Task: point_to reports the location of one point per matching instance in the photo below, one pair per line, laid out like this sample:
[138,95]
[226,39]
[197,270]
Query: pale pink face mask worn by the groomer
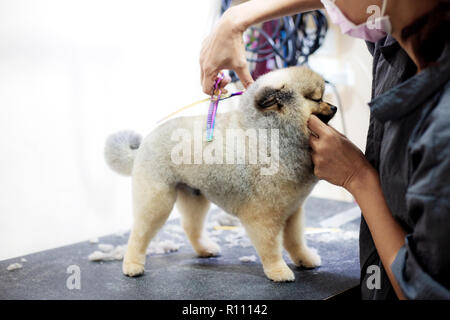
[374,29]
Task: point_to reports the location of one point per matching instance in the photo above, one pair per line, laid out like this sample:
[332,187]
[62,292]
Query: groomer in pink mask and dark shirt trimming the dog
[402,183]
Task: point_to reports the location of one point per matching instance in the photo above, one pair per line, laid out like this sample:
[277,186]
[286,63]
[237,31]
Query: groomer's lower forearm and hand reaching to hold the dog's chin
[340,162]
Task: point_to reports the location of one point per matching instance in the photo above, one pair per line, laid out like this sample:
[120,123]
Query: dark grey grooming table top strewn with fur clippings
[332,229]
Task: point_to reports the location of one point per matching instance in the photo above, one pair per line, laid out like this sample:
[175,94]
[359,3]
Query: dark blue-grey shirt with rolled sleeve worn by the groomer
[409,144]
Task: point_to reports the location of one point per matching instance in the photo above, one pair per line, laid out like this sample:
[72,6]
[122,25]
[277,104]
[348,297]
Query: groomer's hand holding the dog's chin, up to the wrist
[336,159]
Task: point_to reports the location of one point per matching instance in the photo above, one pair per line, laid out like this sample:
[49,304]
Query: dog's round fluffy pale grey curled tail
[120,151]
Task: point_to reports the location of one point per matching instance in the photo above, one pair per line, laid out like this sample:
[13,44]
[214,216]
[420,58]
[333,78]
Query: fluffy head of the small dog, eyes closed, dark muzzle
[292,94]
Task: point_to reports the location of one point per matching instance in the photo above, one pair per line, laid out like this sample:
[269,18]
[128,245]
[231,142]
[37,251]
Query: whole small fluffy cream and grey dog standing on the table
[268,206]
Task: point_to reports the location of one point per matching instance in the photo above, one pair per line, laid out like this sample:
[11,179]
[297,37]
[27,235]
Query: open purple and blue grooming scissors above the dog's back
[212,111]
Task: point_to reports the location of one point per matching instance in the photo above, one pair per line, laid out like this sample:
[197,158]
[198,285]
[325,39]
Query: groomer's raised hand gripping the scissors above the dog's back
[224,49]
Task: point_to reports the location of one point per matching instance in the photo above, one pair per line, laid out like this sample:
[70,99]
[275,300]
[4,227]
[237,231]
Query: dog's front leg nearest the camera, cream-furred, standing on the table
[265,232]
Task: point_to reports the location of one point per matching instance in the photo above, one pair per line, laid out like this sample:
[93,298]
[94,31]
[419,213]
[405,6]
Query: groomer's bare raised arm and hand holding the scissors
[224,47]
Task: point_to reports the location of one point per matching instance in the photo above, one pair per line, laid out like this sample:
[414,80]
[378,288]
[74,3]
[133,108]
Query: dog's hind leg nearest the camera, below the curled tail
[152,204]
